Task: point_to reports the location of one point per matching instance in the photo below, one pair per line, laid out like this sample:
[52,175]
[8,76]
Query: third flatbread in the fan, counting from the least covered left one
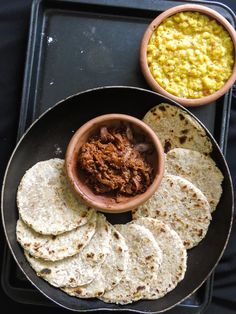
[81,268]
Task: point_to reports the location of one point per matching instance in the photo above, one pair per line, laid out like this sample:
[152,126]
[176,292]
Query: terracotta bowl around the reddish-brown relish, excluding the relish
[76,177]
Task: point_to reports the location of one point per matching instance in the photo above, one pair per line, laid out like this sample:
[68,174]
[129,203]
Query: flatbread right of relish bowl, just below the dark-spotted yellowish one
[199,169]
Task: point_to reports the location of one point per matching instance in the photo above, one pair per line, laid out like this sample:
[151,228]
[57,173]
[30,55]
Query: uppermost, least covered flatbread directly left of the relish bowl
[46,202]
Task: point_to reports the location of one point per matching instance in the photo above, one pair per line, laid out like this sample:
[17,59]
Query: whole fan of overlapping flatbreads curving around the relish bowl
[76,249]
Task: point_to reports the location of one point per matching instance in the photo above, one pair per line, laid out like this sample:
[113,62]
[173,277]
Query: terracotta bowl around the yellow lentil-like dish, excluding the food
[143,54]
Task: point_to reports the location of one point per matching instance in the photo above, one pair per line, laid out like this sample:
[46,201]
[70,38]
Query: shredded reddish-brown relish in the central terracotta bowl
[114,161]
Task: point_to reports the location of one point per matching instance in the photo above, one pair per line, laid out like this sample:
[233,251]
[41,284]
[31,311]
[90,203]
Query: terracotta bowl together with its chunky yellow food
[188,54]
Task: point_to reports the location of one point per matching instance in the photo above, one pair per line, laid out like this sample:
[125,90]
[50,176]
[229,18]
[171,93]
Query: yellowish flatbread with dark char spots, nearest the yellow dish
[176,128]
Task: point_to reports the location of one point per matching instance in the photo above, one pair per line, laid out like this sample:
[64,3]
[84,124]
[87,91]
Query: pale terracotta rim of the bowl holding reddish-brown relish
[133,202]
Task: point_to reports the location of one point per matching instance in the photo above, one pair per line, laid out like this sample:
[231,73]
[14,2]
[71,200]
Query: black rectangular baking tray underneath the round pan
[77,45]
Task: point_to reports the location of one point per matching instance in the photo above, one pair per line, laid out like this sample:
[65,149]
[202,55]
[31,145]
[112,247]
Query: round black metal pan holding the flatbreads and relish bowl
[50,134]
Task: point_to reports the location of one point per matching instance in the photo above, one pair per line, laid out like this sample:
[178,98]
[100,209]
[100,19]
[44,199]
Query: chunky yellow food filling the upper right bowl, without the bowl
[190,55]
